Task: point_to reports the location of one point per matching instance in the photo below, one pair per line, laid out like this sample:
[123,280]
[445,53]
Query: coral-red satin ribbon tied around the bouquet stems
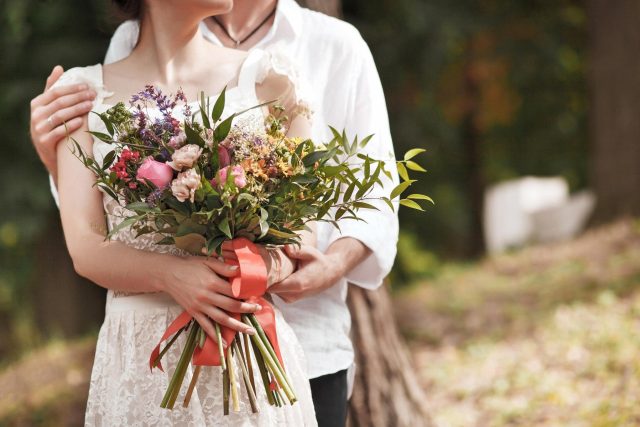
[250,284]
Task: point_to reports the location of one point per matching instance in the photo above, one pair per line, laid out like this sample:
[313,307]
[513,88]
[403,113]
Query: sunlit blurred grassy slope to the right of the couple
[548,336]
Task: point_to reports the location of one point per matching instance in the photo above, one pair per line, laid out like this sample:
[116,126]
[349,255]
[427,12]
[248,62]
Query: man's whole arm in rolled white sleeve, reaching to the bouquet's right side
[361,252]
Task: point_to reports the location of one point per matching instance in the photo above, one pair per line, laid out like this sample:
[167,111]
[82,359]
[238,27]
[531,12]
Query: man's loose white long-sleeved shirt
[345,93]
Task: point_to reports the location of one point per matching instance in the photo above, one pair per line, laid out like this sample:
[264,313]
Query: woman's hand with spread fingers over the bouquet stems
[200,286]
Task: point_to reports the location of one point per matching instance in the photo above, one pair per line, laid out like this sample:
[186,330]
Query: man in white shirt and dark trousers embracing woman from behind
[346,94]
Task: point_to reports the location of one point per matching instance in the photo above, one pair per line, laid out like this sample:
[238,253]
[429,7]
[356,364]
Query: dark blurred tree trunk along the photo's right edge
[614,85]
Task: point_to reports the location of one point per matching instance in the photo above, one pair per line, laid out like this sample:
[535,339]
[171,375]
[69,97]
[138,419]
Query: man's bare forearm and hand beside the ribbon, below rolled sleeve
[318,271]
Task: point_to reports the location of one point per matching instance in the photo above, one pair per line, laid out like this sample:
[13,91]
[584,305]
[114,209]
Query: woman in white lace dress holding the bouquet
[149,285]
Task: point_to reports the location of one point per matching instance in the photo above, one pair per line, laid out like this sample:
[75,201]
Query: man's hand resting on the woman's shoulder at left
[55,113]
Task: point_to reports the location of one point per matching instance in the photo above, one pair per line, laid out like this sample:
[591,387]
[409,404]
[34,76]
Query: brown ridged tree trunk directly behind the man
[386,391]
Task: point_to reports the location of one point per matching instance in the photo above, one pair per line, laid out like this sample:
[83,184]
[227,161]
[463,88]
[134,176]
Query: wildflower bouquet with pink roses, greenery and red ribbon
[200,181]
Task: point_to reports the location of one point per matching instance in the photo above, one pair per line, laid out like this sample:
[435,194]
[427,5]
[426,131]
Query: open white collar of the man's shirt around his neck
[287,24]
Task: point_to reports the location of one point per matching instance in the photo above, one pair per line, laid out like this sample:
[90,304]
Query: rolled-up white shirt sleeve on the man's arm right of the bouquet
[367,115]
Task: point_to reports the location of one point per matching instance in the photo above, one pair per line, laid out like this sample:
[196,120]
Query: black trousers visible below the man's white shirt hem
[329,394]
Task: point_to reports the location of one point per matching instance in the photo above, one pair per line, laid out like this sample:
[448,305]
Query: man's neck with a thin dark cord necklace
[244,18]
